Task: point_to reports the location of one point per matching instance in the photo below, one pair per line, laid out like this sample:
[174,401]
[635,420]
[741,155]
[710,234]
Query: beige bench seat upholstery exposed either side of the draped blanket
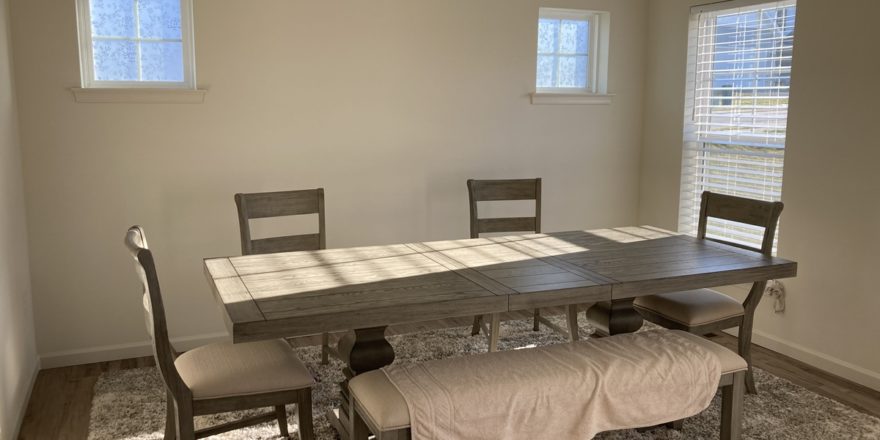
[384,409]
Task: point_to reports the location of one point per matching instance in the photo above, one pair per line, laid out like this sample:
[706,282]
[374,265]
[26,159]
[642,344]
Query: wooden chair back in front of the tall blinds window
[741,210]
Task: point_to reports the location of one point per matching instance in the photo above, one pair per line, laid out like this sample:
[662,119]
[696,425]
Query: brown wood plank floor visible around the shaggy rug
[61,398]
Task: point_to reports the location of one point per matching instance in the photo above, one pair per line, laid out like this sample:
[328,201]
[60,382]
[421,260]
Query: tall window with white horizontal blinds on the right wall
[736,109]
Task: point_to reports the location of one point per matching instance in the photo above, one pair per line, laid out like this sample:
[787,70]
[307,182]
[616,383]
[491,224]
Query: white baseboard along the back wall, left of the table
[122,351]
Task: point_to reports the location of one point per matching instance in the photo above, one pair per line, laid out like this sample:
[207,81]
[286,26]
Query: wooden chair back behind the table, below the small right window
[504,190]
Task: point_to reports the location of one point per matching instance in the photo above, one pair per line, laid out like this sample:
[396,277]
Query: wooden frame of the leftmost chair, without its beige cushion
[181,407]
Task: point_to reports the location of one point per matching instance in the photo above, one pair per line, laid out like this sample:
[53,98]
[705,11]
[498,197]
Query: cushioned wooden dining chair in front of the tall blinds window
[704,311]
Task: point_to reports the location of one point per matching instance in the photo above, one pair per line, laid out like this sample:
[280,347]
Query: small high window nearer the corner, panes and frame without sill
[572,50]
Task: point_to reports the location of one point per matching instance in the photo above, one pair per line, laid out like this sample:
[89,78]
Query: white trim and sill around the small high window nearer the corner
[596,91]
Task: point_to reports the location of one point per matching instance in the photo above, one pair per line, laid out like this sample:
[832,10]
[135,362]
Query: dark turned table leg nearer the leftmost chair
[362,350]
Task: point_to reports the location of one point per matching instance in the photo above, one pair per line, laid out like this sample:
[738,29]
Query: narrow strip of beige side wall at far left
[18,354]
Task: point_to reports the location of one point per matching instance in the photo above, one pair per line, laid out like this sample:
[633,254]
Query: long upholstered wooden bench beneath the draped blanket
[380,409]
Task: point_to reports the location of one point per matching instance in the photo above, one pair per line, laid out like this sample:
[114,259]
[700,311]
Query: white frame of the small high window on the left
[87,61]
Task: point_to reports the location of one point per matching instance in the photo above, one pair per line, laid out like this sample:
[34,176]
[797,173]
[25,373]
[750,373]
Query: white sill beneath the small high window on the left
[134,95]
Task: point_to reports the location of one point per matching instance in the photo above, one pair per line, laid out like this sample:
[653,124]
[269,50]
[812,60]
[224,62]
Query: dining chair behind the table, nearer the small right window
[510,190]
